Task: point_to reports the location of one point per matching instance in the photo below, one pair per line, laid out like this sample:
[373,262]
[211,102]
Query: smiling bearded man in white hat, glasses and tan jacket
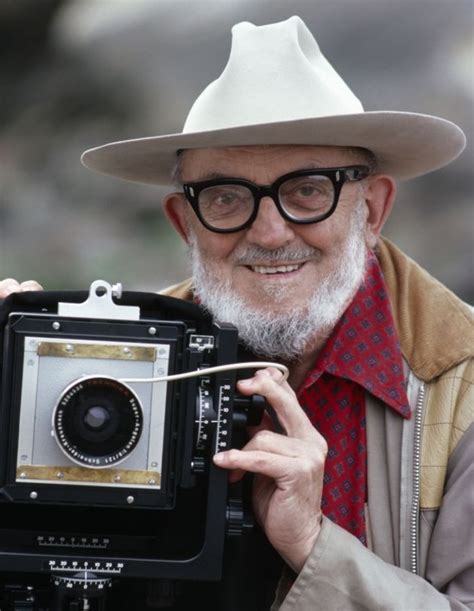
[285,184]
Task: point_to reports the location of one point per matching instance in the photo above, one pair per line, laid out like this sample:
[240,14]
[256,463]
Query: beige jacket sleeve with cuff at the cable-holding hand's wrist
[342,574]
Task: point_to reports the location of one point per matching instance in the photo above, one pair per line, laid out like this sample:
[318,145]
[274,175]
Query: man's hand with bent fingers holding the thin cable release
[289,470]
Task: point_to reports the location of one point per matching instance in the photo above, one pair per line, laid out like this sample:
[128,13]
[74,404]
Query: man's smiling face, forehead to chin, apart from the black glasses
[303,255]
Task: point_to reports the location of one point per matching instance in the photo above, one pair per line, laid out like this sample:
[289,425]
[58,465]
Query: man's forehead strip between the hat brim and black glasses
[206,163]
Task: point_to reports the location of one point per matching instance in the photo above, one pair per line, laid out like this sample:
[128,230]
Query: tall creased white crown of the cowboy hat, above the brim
[275,73]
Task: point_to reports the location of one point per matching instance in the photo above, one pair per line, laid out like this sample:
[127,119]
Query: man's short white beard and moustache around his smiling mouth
[284,335]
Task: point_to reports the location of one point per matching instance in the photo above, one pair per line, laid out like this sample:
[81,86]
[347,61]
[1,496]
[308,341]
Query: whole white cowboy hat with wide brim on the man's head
[278,88]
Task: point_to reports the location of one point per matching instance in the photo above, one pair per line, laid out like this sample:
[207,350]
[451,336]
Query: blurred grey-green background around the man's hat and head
[80,73]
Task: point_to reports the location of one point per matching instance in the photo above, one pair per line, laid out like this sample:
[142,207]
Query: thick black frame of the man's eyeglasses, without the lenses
[338,176]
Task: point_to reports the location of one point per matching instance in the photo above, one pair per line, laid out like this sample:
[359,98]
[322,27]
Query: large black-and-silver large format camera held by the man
[106,472]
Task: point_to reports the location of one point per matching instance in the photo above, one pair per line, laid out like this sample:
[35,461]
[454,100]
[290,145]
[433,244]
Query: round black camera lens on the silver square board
[98,421]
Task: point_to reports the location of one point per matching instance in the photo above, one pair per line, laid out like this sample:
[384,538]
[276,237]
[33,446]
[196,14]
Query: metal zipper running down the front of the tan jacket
[415,509]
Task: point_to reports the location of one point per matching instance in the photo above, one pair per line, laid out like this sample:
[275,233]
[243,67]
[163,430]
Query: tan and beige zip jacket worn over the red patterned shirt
[420,471]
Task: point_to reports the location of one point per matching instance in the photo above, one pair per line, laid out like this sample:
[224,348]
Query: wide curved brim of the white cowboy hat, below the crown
[406,144]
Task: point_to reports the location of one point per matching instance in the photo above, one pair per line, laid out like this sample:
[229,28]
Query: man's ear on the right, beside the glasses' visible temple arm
[379,194]
